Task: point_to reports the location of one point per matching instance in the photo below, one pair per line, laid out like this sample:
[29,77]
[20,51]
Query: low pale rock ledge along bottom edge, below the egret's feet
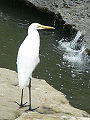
[36,116]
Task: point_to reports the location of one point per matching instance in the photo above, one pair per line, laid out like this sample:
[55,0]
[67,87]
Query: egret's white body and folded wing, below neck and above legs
[27,59]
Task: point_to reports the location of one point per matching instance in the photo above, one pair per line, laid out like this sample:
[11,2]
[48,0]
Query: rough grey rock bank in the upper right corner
[75,13]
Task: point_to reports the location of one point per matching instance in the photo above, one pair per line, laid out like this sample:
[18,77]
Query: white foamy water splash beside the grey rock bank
[74,51]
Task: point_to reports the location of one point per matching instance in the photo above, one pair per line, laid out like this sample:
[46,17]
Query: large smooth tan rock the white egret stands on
[53,104]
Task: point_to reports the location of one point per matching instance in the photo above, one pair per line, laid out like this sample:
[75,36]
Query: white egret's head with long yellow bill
[37,26]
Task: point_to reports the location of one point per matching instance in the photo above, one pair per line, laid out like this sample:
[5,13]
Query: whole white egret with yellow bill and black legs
[28,58]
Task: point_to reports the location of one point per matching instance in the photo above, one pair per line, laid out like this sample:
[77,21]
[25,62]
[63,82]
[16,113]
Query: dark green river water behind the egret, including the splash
[64,65]
